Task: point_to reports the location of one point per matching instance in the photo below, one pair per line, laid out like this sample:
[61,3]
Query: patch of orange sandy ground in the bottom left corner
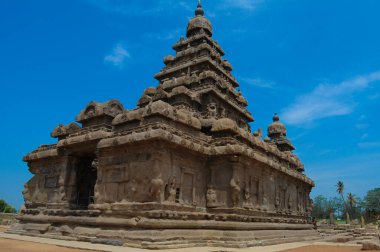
[21,246]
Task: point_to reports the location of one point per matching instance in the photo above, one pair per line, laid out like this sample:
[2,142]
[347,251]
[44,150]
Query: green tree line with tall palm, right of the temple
[348,207]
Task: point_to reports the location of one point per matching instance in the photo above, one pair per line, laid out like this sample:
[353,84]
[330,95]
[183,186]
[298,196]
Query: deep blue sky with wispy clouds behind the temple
[316,63]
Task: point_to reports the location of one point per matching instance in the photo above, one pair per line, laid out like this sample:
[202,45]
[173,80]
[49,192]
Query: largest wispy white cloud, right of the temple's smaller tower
[327,100]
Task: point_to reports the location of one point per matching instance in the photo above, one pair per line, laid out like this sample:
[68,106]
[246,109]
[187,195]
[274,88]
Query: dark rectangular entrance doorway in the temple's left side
[85,180]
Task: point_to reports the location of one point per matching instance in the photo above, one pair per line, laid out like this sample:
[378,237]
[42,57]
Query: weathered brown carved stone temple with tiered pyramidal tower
[181,169]
